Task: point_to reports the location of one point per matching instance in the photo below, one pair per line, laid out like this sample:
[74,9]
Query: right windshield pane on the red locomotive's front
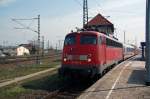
[88,39]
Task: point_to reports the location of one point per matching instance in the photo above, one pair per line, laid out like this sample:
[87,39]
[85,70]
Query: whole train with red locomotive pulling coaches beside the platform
[89,53]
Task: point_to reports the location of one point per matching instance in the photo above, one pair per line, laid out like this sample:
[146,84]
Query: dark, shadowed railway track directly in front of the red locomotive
[68,91]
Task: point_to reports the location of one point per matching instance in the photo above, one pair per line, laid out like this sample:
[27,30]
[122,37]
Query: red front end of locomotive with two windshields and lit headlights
[79,55]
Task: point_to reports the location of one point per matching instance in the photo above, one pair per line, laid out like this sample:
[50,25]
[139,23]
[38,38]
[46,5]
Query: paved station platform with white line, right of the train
[125,81]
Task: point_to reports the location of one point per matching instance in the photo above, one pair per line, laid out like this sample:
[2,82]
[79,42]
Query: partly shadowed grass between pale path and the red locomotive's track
[26,89]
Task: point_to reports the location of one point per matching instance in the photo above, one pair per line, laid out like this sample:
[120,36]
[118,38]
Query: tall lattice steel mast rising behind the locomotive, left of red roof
[85,13]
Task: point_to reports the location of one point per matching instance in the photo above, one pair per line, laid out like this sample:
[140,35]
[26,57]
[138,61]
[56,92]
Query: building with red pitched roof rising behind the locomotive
[101,24]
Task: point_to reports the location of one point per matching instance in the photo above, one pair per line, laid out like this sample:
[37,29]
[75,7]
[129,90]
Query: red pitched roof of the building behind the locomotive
[99,20]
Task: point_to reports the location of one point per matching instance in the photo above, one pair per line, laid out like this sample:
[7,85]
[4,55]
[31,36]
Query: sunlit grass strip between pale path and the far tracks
[17,70]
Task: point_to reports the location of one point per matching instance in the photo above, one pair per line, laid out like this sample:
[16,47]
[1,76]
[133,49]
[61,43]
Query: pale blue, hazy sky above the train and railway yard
[59,17]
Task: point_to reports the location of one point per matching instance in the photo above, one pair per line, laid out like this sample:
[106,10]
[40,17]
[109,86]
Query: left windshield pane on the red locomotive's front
[70,40]
